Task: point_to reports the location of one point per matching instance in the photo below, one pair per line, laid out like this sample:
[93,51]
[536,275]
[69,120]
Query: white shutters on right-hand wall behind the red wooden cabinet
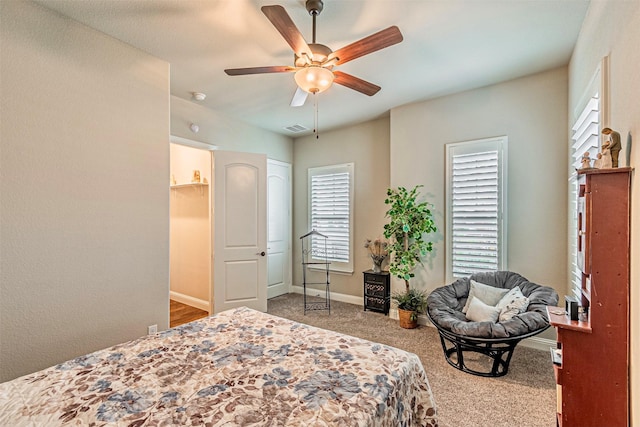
[585,138]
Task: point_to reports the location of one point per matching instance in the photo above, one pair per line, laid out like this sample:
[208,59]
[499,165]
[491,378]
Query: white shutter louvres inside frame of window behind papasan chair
[475,213]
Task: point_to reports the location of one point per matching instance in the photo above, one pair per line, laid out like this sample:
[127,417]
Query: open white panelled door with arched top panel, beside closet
[240,236]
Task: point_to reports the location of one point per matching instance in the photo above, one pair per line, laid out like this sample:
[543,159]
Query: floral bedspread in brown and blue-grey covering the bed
[237,368]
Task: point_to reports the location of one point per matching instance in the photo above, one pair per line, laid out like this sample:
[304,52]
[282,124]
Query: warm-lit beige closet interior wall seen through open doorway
[190,224]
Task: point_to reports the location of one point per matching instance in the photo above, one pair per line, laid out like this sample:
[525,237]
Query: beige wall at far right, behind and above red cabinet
[613,28]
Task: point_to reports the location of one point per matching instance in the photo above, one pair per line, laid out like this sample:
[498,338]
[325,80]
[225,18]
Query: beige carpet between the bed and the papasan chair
[525,397]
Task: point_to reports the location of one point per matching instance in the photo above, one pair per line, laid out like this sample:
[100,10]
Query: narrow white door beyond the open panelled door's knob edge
[278,228]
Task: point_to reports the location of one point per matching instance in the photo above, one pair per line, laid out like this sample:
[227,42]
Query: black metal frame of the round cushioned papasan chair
[499,350]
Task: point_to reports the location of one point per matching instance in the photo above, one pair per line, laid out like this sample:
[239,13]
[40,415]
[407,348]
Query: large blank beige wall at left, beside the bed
[84,200]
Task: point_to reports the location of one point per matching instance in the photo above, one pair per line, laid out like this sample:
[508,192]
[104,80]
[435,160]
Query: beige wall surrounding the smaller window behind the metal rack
[367,146]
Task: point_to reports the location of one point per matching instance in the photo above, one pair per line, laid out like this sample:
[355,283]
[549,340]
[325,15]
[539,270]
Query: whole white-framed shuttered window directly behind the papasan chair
[476,189]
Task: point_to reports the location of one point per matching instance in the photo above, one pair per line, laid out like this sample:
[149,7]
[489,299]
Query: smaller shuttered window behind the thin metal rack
[331,214]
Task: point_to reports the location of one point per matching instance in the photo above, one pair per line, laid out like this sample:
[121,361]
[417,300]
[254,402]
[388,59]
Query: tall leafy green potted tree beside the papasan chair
[410,222]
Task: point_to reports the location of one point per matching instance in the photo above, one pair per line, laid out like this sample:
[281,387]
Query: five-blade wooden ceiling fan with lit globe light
[314,62]
